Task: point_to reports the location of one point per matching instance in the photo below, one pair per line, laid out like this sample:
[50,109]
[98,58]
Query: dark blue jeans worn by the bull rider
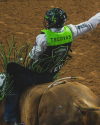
[22,81]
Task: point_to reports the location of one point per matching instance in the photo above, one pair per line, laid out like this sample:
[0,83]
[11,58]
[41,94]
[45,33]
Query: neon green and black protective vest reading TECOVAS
[58,45]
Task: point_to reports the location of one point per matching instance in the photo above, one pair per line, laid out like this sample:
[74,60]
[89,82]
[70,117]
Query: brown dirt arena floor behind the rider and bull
[23,19]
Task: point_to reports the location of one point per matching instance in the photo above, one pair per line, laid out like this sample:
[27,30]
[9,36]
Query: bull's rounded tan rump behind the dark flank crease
[60,105]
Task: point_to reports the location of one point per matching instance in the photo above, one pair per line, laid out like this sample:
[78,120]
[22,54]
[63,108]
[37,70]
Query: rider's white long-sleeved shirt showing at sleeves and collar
[77,30]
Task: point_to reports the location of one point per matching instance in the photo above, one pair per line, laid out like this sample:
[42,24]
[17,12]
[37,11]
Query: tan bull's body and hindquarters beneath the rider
[64,104]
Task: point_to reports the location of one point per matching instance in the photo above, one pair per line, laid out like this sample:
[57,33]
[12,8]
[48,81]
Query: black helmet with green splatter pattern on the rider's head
[54,18]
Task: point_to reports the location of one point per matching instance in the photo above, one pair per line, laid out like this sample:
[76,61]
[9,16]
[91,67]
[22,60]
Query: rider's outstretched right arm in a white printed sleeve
[85,27]
